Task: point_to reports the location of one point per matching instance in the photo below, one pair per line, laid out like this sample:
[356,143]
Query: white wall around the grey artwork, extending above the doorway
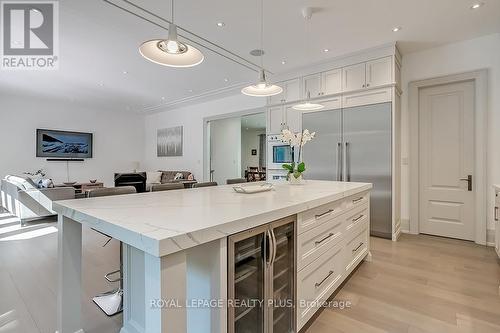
[191,117]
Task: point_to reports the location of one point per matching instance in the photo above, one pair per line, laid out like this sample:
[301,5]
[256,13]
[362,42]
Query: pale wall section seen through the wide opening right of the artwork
[226,149]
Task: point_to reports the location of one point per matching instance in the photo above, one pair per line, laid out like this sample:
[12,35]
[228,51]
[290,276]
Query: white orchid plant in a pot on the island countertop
[296,142]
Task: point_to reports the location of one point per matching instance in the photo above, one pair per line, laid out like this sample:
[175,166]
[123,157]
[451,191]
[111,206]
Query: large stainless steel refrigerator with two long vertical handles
[354,144]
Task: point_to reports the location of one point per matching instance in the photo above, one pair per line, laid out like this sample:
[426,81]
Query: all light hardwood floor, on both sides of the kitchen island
[421,284]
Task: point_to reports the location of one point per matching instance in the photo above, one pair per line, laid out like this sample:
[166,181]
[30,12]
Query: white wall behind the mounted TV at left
[118,138]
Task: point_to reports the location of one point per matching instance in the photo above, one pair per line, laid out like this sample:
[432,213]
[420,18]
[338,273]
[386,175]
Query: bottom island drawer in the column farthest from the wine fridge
[356,246]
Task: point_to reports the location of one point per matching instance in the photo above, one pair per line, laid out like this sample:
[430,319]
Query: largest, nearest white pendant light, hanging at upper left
[171,52]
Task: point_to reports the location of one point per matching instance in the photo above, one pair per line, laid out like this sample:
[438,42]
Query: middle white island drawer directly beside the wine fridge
[314,242]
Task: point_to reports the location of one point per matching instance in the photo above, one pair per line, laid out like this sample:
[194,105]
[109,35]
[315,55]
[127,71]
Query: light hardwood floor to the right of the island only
[420,284]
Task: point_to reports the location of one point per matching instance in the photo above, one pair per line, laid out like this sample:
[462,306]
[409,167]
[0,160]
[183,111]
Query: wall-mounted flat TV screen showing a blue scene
[62,144]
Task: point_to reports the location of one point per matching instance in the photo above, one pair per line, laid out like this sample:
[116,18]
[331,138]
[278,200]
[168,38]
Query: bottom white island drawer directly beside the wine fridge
[317,282]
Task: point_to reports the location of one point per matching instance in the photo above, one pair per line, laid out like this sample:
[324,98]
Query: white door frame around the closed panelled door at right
[480,78]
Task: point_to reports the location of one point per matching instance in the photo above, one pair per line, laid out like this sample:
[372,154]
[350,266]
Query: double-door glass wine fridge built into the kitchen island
[261,279]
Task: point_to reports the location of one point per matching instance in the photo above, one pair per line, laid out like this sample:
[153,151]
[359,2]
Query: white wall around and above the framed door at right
[479,53]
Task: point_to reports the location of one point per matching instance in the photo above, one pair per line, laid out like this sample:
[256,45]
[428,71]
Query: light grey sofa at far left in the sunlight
[22,198]
